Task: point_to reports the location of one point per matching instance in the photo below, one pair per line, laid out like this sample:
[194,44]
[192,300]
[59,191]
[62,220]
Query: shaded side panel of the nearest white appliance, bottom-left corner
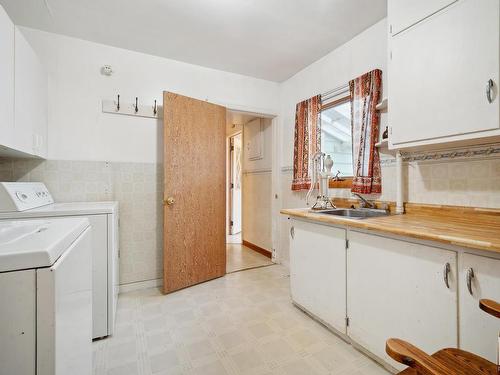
[17,322]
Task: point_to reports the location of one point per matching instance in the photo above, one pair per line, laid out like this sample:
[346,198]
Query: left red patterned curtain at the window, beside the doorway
[307,141]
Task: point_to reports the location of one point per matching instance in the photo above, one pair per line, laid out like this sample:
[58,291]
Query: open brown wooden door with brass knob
[194,248]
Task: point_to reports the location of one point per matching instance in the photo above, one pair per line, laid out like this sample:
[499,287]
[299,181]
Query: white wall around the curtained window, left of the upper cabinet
[365,52]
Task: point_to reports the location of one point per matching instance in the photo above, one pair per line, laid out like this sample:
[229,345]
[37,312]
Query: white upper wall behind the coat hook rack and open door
[78,130]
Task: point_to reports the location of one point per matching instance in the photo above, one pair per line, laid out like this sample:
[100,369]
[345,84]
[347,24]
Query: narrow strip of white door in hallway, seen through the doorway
[236,172]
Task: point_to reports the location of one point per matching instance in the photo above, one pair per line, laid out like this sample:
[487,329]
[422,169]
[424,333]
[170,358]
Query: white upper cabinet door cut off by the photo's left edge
[6,79]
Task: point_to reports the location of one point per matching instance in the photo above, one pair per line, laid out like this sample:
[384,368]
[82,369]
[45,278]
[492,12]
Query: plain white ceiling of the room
[269,39]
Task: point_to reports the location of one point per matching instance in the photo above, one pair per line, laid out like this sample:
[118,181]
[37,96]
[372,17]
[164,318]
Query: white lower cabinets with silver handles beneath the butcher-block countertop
[389,287]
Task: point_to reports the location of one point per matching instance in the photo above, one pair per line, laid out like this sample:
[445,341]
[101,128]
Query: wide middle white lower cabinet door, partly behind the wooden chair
[397,289]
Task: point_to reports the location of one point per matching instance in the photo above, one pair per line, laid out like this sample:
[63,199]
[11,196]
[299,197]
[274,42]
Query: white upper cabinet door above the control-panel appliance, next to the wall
[30,99]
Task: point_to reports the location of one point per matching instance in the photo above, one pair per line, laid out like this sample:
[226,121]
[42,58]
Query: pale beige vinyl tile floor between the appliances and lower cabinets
[243,323]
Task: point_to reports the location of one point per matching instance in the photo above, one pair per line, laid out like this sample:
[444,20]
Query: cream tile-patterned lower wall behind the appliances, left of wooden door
[136,186]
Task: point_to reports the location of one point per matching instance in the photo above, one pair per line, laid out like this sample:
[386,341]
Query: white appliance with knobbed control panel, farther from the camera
[28,200]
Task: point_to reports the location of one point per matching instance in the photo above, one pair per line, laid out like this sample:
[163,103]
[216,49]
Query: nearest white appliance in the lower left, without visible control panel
[46,297]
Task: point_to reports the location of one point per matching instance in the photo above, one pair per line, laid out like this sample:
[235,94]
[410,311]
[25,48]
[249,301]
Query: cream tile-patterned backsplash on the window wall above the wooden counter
[473,181]
